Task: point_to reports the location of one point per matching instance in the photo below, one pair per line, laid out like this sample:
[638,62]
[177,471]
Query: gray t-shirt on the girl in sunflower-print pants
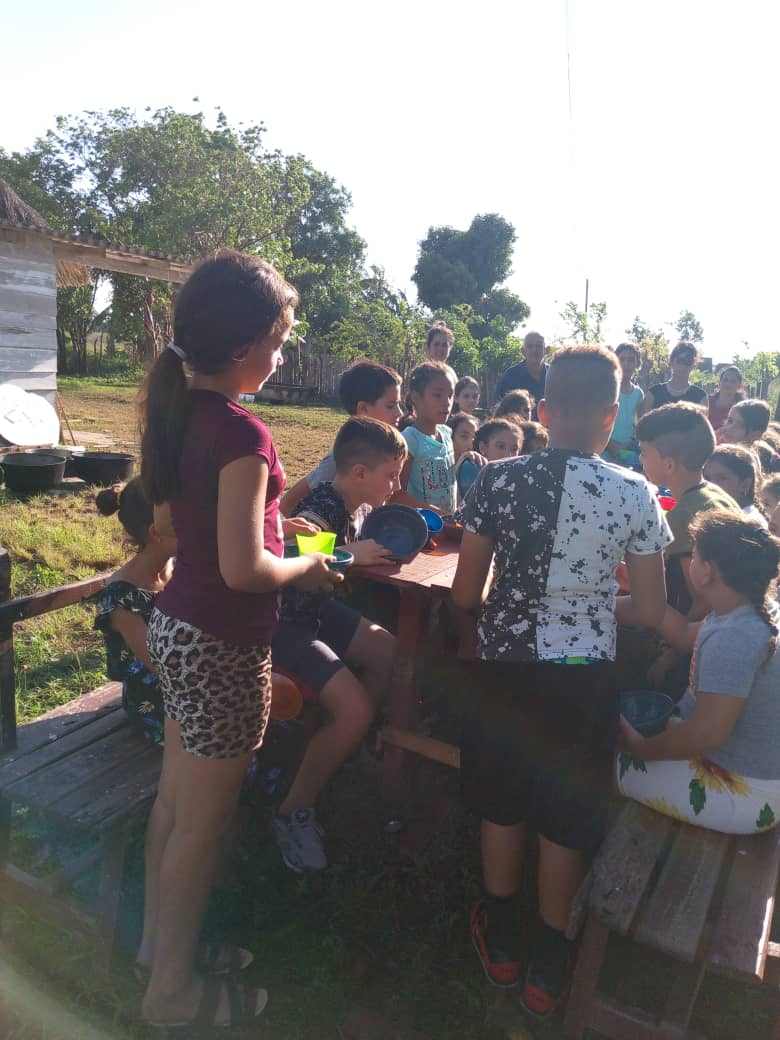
[731,659]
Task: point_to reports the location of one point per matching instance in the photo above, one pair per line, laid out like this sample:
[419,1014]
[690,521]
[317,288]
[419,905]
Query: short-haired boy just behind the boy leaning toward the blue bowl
[368,391]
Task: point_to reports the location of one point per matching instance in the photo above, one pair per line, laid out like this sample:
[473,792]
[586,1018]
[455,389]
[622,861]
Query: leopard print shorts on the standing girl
[219,694]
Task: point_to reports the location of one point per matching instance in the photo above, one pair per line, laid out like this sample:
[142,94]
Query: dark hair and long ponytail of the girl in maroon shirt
[226,305]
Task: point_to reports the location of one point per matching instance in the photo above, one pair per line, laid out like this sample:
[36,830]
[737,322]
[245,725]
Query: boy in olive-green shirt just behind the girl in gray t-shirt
[675,444]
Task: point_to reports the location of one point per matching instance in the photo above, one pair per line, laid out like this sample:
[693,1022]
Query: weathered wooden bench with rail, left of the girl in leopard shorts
[82,766]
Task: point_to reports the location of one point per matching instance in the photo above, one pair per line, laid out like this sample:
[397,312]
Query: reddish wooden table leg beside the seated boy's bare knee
[403,706]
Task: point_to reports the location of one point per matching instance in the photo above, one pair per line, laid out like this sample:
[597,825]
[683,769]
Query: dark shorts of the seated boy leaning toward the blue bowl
[315,657]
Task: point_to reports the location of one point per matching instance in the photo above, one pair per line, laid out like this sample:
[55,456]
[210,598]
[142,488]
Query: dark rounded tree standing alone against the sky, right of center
[457,268]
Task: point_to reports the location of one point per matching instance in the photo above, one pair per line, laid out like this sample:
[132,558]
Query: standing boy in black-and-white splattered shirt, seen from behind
[554,526]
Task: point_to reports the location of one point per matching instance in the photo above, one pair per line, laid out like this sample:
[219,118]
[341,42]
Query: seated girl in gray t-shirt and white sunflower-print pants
[720,767]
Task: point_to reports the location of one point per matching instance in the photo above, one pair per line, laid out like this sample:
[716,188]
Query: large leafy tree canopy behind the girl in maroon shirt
[170,183]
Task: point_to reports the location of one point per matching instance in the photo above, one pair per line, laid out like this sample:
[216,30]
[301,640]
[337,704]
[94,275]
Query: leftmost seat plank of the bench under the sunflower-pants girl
[626,864]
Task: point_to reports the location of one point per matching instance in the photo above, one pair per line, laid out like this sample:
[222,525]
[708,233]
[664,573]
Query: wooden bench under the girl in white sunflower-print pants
[705,899]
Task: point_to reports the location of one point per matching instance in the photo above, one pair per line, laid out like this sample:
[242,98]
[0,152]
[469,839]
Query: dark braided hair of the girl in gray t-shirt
[747,557]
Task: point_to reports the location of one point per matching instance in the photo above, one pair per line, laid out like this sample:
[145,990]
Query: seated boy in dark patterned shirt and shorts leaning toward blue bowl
[320,637]
